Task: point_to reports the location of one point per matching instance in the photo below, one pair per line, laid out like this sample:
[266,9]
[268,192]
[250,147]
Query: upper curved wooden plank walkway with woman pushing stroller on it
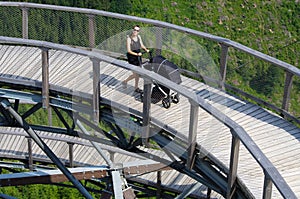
[277,138]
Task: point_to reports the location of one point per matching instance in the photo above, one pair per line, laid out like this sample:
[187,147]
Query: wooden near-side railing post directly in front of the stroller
[146,111]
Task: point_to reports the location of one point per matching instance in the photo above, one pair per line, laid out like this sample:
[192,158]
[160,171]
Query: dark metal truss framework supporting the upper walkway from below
[207,170]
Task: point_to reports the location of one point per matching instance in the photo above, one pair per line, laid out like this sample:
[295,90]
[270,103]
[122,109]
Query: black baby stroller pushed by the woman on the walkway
[169,70]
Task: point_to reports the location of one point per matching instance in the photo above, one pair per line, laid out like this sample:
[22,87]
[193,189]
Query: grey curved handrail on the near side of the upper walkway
[237,130]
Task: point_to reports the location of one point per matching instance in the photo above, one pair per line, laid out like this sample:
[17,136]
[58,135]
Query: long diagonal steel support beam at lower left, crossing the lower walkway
[5,103]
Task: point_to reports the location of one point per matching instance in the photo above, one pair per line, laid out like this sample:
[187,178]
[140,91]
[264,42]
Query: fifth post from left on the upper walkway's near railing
[234,157]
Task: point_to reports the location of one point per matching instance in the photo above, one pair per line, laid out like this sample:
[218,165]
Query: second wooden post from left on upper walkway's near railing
[96,89]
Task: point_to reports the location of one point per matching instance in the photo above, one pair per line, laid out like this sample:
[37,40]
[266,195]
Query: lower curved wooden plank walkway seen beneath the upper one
[14,143]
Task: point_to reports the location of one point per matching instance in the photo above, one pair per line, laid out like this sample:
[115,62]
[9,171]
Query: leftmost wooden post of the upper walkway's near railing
[45,77]
